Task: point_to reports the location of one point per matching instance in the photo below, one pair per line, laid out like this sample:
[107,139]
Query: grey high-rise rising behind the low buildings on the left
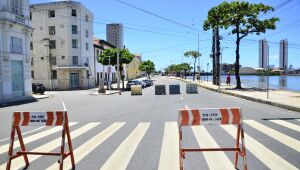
[114,34]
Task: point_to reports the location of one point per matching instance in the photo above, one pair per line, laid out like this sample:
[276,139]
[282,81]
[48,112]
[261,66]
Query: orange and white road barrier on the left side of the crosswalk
[50,118]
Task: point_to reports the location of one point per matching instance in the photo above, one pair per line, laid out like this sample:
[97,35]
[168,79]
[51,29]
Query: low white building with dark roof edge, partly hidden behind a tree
[108,73]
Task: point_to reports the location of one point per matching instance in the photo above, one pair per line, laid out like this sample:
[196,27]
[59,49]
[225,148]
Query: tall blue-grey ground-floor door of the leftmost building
[17,78]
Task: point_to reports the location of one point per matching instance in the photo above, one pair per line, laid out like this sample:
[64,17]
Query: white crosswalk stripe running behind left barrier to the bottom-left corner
[51,145]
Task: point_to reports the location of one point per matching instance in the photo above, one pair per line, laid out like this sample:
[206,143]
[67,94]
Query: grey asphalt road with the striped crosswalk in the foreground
[139,132]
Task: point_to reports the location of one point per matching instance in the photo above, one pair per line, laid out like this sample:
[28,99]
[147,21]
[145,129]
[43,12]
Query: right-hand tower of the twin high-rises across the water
[283,55]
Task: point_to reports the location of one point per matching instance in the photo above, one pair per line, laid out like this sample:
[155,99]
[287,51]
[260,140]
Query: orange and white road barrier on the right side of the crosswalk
[216,116]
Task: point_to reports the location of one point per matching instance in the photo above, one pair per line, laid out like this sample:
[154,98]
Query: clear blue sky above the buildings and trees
[164,42]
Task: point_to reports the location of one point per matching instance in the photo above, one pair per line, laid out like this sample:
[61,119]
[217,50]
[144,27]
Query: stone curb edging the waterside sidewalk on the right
[293,108]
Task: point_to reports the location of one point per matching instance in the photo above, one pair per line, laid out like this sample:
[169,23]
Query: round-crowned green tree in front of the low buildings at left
[125,58]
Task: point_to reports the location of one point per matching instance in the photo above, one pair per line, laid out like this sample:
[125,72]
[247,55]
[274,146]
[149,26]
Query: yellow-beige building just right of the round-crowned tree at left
[132,69]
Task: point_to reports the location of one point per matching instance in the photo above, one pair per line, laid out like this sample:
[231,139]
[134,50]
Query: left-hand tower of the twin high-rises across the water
[263,53]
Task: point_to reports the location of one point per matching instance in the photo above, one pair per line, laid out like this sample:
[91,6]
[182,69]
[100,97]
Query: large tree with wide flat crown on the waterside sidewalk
[244,19]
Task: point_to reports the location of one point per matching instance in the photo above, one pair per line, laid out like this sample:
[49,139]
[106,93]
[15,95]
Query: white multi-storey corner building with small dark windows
[62,45]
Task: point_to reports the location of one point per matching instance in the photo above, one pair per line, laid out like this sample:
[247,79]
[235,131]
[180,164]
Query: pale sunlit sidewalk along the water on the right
[280,98]
